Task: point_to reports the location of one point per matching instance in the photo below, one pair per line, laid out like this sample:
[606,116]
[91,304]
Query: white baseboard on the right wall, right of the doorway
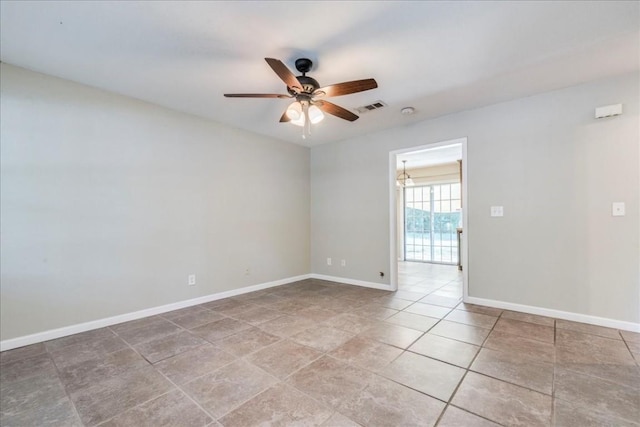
[558,314]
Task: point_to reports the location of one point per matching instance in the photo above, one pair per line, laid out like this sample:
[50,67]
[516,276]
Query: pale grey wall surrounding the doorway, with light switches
[554,168]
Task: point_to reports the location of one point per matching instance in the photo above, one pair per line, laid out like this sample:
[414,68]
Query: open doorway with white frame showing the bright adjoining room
[428,215]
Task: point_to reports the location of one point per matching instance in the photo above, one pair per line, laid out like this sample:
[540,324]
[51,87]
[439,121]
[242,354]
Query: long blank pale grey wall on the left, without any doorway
[108,203]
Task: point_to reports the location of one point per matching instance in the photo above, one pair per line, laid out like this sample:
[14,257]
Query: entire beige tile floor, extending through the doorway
[318,353]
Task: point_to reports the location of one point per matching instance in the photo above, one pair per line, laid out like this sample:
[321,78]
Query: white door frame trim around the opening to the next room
[393,216]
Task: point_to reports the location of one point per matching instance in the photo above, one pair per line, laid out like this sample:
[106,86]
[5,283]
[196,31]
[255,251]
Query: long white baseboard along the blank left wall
[101,323]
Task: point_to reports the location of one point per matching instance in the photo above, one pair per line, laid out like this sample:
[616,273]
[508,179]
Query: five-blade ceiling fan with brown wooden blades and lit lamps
[309,103]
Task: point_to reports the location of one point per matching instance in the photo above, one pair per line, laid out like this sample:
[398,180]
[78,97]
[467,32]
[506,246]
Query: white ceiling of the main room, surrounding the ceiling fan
[439,57]
